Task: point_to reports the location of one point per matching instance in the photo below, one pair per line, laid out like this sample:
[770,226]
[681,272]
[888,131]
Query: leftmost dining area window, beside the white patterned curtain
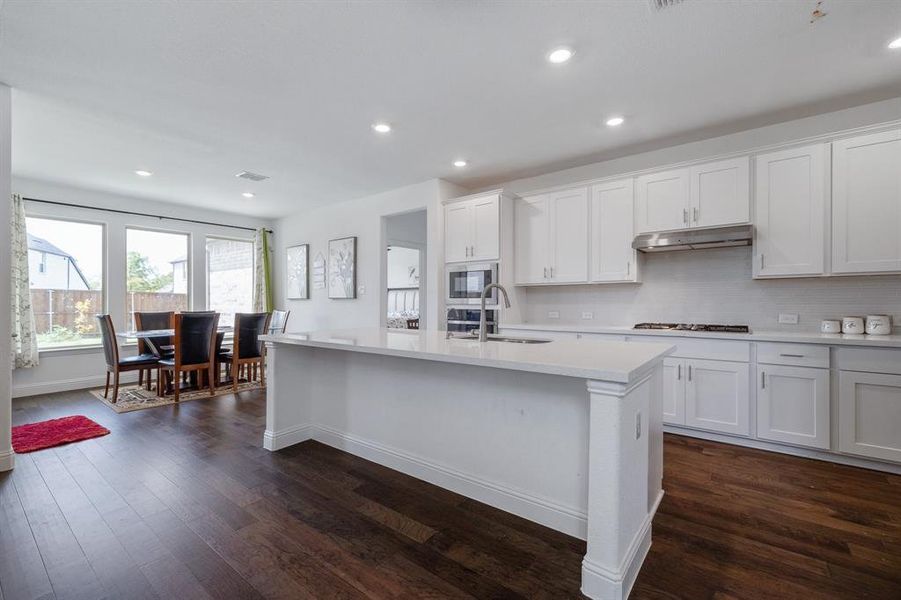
[65,266]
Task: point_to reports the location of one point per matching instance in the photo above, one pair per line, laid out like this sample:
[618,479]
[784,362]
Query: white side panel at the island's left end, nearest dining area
[288,398]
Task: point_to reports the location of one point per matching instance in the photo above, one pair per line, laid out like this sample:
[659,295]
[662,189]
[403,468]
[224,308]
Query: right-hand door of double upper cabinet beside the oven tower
[569,236]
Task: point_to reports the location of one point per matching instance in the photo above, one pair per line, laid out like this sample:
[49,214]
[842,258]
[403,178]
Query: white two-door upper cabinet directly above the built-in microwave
[472,229]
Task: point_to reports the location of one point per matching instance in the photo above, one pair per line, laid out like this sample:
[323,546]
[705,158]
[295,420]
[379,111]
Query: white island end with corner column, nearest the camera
[624,481]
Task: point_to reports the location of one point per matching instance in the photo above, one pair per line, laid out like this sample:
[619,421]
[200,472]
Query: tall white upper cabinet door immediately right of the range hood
[790,212]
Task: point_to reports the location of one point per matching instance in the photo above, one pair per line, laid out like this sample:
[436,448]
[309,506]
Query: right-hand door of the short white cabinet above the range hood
[720,193]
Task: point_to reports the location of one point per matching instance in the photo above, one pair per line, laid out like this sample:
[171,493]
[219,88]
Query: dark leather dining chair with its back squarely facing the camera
[195,350]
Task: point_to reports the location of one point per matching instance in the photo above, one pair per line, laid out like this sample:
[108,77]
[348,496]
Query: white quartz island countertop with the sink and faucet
[619,362]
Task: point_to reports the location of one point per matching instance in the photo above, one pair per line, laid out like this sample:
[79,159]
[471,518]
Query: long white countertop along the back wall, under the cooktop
[829,339]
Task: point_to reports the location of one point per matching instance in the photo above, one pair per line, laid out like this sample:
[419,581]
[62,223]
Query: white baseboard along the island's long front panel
[566,519]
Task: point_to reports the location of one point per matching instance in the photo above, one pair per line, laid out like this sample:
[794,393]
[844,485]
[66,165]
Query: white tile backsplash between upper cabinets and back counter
[715,286]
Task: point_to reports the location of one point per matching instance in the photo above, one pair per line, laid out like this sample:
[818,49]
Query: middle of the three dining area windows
[157,272]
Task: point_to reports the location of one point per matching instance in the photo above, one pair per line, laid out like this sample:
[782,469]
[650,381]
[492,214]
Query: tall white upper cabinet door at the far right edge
[866,203]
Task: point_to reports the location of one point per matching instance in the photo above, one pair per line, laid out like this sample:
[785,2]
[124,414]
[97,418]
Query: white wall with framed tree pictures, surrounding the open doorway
[362,217]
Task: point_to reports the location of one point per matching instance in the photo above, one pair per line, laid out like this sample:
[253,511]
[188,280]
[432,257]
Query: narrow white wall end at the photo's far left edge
[6,453]
